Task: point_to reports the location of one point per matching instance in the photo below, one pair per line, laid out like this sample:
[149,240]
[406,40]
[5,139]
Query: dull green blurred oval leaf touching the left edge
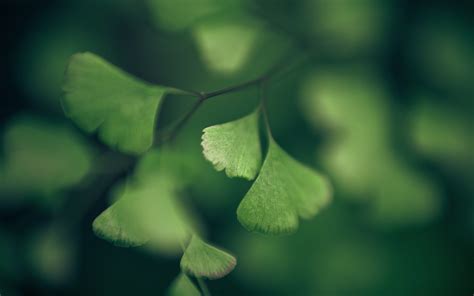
[42,158]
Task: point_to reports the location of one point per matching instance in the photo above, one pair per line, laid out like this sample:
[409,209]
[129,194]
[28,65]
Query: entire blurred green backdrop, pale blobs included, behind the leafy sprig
[393,133]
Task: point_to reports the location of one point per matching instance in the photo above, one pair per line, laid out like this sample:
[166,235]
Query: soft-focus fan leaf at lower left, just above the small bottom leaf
[147,210]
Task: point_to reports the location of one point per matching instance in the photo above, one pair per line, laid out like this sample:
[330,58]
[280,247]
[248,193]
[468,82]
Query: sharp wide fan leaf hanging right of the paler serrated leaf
[284,190]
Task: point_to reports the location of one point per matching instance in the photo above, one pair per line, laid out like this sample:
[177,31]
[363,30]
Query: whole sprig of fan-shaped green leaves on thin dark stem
[148,211]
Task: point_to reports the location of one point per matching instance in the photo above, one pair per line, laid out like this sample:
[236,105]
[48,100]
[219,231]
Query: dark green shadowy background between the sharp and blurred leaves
[339,252]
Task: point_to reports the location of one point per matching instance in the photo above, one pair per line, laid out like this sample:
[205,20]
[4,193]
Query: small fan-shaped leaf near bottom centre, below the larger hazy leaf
[203,260]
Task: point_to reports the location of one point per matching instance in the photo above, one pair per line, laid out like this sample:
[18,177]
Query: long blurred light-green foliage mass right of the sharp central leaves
[355,106]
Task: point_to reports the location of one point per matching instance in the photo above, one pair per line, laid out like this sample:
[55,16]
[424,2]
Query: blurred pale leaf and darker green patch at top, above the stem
[227,37]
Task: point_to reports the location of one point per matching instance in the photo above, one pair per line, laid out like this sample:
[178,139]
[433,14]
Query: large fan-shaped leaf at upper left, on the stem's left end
[100,97]
